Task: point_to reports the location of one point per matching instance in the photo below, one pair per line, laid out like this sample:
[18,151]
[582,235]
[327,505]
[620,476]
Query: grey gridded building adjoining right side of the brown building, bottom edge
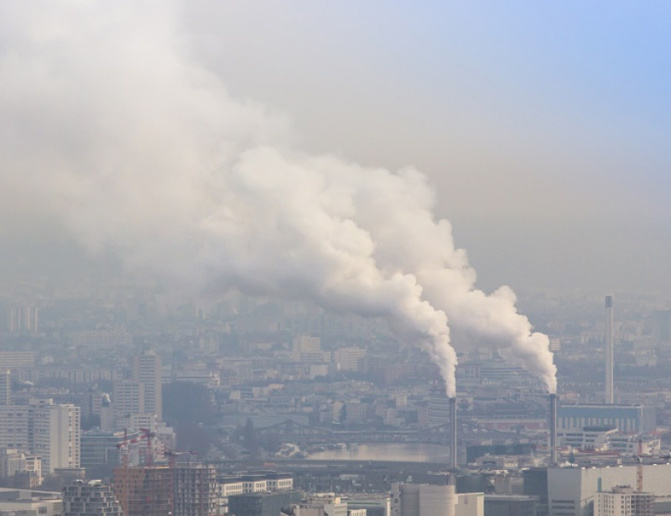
[196,490]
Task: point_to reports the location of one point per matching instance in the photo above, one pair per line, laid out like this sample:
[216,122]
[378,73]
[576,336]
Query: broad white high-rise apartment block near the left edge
[56,436]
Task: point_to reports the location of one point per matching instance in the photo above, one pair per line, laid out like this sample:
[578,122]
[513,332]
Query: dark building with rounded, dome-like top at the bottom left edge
[90,499]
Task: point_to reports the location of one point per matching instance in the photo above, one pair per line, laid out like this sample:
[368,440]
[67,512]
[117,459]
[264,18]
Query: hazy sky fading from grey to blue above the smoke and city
[543,126]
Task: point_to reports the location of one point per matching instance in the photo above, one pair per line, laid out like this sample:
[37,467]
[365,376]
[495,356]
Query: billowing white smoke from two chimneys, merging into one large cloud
[108,126]
